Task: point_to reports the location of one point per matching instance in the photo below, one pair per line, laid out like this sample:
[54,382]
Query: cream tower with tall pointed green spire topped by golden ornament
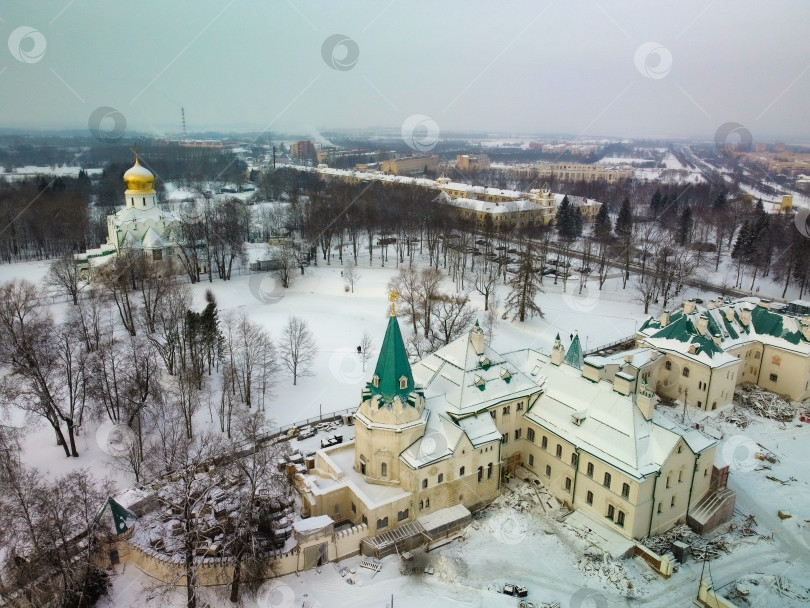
[392,413]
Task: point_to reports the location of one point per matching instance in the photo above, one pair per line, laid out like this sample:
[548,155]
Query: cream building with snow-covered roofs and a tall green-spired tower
[436,441]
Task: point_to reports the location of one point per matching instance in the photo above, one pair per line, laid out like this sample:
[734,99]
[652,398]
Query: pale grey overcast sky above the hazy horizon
[635,69]
